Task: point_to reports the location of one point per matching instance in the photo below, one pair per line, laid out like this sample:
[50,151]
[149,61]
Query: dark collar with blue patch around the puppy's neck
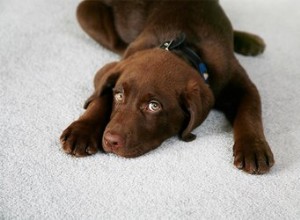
[179,45]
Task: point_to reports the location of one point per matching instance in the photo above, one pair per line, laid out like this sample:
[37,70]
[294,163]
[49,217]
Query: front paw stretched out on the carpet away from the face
[253,156]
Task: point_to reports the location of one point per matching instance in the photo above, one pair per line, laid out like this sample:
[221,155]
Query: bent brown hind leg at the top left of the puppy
[97,20]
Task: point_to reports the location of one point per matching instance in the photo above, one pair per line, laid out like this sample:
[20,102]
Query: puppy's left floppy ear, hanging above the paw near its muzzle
[104,82]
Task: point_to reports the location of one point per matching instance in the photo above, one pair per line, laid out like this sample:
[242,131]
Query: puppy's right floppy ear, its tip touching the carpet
[198,101]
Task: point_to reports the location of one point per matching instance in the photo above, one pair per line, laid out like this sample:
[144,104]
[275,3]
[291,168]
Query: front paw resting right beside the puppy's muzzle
[81,138]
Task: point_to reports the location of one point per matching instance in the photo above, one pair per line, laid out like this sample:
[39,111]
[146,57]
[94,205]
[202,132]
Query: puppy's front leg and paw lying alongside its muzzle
[83,137]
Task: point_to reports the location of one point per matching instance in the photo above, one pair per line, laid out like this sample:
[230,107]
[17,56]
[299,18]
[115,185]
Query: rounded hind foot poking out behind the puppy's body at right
[248,44]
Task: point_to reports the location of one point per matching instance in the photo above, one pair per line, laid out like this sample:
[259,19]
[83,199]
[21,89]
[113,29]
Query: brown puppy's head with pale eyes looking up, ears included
[155,95]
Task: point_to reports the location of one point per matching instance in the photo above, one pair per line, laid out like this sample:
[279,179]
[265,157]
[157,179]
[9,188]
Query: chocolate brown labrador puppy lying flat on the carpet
[177,64]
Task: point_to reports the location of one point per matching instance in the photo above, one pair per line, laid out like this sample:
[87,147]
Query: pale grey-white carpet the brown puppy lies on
[47,64]
